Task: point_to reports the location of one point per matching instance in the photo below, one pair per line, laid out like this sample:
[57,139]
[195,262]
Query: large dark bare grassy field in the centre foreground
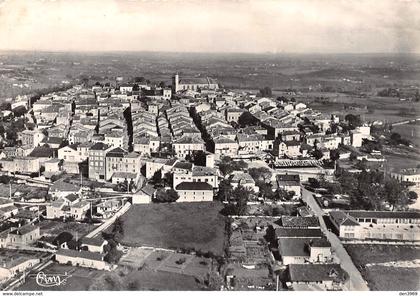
[179,225]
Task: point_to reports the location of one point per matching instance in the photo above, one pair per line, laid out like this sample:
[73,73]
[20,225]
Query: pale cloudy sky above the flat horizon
[211,26]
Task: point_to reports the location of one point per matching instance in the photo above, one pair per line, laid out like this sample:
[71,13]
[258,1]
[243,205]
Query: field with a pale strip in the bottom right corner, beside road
[385,267]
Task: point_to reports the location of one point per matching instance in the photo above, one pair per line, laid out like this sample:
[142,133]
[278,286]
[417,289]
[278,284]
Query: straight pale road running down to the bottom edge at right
[356,283]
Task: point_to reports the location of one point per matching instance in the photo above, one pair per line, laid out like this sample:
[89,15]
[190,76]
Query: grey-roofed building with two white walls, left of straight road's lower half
[304,250]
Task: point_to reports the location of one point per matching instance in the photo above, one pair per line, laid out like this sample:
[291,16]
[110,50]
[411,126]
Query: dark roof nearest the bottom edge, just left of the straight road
[315,272]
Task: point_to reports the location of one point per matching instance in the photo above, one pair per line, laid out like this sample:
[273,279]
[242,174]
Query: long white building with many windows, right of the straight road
[377,225]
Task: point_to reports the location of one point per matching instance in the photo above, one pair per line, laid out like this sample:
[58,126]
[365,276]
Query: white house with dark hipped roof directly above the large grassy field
[194,192]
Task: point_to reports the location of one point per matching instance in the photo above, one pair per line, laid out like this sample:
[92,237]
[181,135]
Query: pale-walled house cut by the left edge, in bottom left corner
[11,267]
